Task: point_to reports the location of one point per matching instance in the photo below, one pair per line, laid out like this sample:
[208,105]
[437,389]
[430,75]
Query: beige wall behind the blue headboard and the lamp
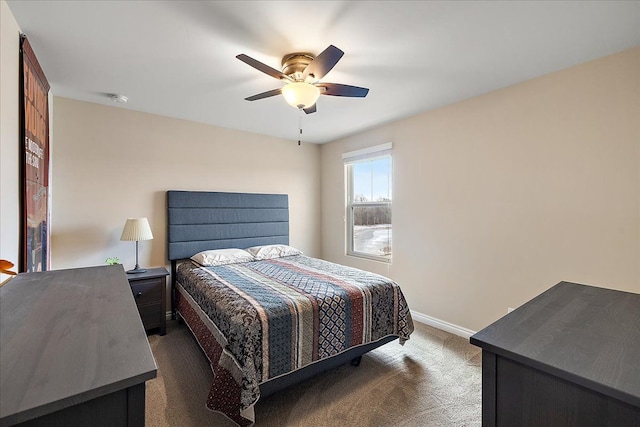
[111,164]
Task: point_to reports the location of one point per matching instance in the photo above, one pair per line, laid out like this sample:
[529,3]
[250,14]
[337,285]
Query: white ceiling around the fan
[177,58]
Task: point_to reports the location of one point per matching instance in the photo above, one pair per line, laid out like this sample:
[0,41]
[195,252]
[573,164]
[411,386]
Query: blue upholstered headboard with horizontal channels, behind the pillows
[199,220]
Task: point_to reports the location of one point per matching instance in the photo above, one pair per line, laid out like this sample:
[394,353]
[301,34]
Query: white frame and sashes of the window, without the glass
[370,153]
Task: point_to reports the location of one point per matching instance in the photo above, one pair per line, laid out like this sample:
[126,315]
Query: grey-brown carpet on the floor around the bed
[433,380]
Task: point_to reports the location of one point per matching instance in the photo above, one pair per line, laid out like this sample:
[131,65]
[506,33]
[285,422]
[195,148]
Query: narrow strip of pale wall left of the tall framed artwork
[9,136]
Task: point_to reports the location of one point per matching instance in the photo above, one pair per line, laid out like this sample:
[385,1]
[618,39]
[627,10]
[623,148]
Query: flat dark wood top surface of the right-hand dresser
[584,334]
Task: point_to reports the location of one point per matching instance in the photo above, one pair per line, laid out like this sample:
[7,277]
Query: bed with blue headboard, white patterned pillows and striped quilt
[268,322]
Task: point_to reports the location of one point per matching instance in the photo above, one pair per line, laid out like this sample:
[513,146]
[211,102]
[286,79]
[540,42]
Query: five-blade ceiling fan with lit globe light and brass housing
[302,72]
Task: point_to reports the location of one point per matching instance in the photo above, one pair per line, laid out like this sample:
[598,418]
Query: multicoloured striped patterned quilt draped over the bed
[258,320]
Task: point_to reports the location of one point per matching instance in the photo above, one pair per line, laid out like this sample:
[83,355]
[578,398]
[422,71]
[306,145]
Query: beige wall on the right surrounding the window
[499,197]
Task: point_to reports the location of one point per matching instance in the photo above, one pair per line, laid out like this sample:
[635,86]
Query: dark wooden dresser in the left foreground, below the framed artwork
[73,350]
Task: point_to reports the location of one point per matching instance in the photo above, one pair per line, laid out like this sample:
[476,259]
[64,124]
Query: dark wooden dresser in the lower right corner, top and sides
[569,357]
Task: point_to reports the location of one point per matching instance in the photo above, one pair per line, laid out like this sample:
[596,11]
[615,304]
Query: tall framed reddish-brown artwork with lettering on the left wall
[34,158]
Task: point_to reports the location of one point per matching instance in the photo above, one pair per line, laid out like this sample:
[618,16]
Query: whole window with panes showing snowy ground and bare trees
[369,199]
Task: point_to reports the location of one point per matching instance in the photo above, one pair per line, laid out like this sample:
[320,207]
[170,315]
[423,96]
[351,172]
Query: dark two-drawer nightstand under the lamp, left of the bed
[150,292]
